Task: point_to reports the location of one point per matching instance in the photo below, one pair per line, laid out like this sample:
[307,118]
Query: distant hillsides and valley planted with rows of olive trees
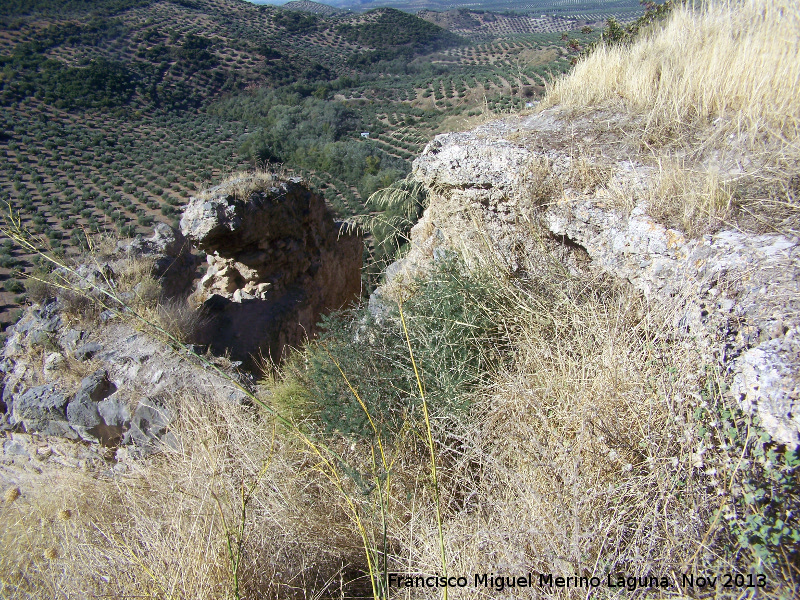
[113,113]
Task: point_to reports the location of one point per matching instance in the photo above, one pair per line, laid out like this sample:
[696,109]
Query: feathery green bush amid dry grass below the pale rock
[455,337]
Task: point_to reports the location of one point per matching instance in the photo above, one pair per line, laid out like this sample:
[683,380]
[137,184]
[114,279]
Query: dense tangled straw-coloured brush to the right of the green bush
[580,447]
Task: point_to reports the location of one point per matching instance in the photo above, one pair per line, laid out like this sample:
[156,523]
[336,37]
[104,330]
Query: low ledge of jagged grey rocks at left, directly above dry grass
[125,398]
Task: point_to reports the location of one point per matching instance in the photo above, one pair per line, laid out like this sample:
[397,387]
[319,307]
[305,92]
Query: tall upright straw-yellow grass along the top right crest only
[734,60]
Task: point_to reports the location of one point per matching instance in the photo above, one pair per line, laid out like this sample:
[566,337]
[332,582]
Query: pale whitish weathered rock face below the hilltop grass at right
[509,189]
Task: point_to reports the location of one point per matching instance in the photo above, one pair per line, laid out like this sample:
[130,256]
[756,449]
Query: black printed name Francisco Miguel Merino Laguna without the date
[501,582]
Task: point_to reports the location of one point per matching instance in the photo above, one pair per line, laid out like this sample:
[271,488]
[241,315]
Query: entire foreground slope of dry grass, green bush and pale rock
[583,369]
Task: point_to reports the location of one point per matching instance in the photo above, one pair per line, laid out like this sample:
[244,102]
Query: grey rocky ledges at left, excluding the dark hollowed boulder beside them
[69,372]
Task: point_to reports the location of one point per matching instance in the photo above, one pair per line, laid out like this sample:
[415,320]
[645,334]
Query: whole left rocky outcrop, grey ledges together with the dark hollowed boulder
[276,263]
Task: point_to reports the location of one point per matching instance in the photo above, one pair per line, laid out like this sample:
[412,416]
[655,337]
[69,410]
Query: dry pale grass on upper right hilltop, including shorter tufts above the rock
[713,100]
